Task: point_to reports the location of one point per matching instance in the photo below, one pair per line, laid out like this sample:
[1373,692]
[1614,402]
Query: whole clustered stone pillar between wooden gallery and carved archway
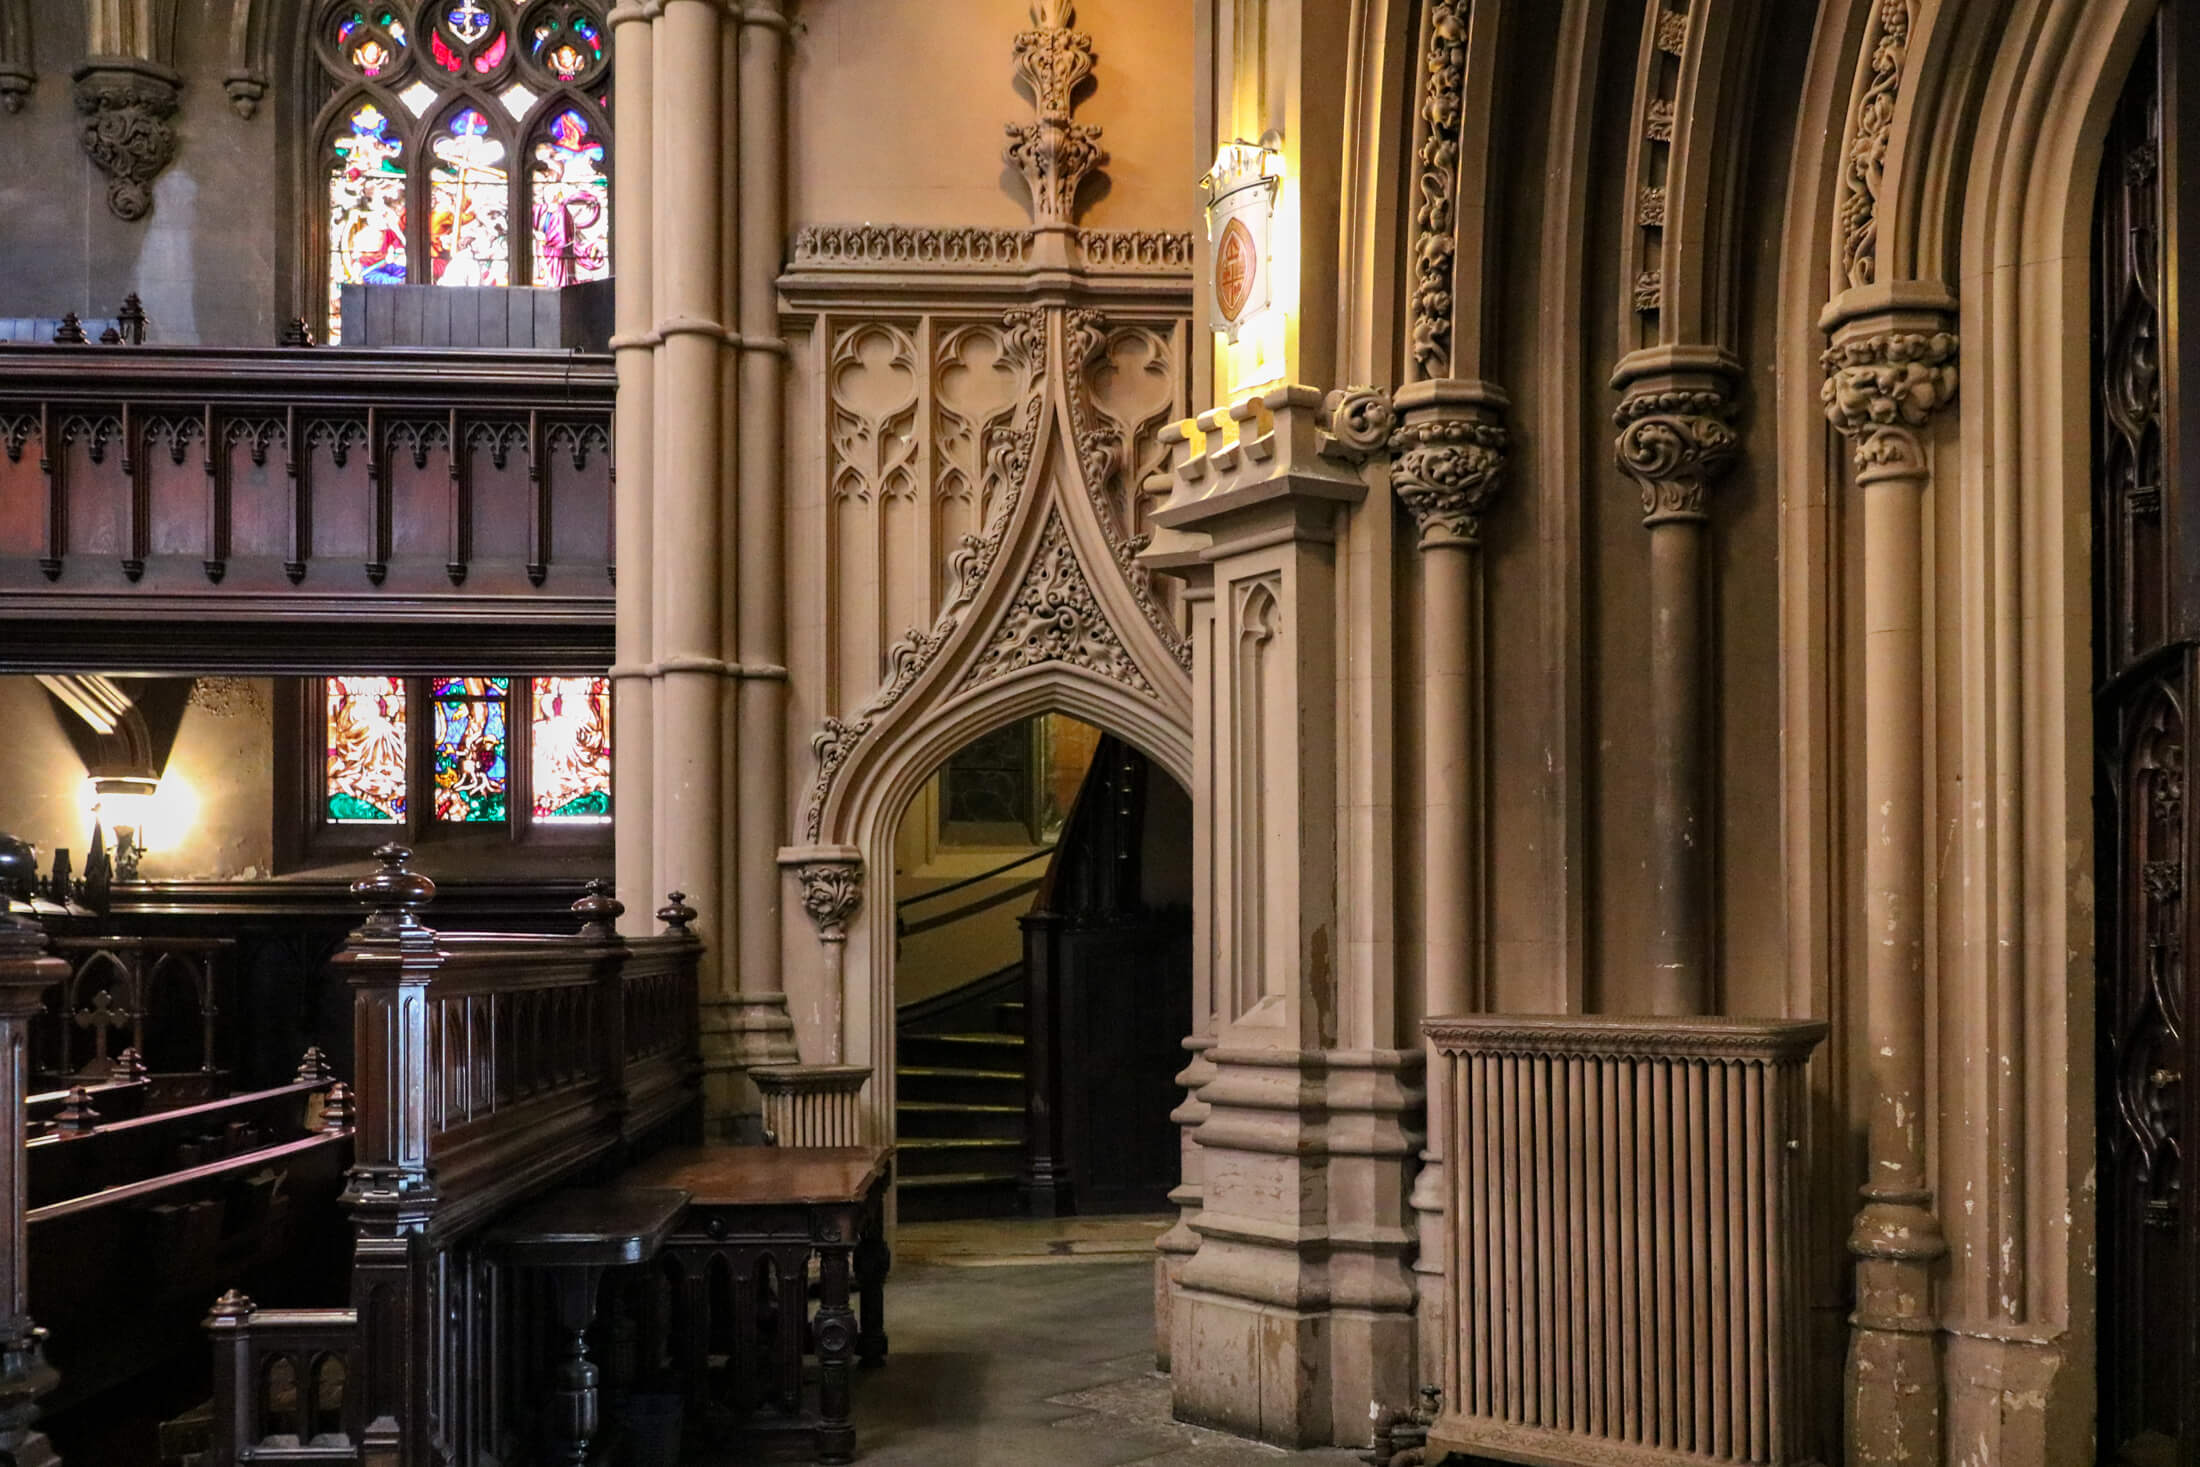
[703,628]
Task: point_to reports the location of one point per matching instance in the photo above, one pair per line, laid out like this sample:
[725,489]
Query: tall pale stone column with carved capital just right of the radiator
[1893,364]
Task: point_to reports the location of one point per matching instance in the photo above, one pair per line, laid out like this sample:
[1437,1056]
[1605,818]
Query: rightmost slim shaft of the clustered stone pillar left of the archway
[760,1026]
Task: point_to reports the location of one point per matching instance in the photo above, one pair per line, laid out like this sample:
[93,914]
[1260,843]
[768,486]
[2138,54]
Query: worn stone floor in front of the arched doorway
[1033,1343]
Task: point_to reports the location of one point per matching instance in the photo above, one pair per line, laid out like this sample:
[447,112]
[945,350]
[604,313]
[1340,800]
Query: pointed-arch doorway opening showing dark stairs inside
[1044,978]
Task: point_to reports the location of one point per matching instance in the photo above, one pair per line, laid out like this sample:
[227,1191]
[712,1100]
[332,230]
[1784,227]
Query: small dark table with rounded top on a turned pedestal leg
[573,1237]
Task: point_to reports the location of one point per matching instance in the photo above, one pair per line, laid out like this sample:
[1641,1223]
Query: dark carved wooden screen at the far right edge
[2148,665]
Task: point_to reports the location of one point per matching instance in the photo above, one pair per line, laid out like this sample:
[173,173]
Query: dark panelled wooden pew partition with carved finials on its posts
[492,1070]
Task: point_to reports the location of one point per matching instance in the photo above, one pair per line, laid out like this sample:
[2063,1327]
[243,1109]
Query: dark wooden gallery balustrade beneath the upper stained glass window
[311,485]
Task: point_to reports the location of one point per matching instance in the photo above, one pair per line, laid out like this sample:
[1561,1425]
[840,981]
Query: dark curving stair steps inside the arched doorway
[960,1103]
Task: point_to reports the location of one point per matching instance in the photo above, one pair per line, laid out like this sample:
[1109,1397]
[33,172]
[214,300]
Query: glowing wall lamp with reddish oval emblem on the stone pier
[1240,197]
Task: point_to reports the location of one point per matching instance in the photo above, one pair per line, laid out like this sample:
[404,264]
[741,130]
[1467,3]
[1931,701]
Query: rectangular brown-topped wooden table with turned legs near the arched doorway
[756,1220]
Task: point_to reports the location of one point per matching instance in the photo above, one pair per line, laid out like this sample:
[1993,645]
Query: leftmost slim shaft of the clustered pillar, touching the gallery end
[635,443]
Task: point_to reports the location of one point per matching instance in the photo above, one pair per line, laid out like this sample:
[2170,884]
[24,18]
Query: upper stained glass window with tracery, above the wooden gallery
[467,144]
